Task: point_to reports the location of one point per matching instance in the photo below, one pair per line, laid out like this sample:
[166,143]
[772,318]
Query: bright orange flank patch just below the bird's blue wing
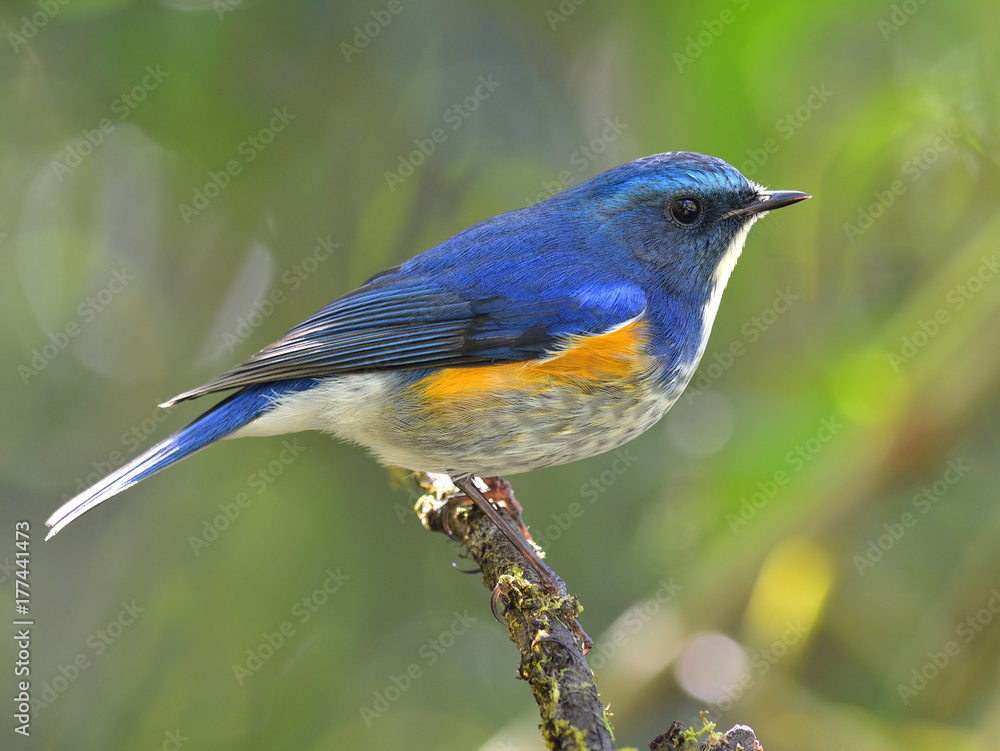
[584,361]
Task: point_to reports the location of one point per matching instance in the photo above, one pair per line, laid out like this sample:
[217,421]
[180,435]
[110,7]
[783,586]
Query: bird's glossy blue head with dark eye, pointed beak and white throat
[686,214]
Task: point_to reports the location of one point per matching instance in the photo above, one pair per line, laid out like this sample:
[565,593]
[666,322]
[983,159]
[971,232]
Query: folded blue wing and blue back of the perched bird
[479,298]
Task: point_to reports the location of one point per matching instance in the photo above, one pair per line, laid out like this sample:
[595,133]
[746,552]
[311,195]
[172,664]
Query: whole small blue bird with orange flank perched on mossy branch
[538,337]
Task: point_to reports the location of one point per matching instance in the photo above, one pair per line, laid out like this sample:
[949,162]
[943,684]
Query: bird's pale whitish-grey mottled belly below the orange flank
[555,426]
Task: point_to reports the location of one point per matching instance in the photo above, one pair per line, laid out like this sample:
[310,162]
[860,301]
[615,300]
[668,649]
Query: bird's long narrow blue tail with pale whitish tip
[225,418]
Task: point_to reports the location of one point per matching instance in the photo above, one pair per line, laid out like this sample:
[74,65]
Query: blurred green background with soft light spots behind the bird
[809,543]
